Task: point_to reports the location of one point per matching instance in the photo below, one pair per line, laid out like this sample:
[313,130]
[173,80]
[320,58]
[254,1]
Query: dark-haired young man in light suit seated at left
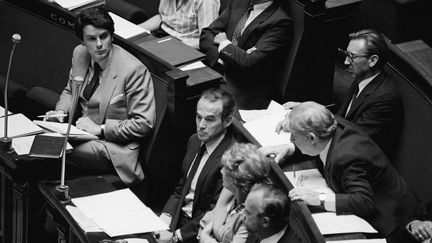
[119,108]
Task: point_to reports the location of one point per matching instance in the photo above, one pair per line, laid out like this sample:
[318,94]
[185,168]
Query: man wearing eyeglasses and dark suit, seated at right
[373,101]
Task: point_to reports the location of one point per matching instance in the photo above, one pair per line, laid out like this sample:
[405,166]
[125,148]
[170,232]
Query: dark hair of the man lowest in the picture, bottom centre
[274,204]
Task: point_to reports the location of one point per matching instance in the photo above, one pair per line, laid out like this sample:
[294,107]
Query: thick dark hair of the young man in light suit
[97,16]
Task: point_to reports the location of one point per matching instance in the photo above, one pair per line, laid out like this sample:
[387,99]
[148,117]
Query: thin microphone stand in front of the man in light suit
[62,189]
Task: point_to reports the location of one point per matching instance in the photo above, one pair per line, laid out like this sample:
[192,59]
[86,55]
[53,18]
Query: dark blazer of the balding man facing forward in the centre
[208,187]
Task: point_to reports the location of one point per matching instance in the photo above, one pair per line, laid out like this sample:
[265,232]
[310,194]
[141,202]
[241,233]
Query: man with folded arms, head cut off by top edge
[251,47]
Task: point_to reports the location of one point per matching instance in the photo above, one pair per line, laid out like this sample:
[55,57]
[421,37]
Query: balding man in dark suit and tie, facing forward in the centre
[200,185]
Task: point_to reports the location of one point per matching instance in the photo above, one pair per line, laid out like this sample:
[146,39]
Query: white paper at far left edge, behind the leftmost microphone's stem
[18,126]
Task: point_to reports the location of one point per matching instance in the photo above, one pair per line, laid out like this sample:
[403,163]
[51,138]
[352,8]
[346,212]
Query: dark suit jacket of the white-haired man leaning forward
[365,182]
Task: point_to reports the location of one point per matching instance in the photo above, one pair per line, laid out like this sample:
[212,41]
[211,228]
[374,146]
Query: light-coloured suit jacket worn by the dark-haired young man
[124,102]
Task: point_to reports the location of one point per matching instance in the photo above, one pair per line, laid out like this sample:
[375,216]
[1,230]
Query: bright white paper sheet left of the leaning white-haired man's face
[263,130]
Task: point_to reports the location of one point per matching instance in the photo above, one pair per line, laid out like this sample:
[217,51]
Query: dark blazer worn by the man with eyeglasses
[377,111]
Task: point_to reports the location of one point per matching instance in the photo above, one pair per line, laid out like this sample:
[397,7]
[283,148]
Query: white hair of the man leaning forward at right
[311,117]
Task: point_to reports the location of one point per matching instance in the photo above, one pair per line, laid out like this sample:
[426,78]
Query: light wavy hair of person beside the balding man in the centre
[245,165]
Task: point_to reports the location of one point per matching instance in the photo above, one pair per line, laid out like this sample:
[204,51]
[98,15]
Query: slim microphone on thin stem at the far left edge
[6,143]
